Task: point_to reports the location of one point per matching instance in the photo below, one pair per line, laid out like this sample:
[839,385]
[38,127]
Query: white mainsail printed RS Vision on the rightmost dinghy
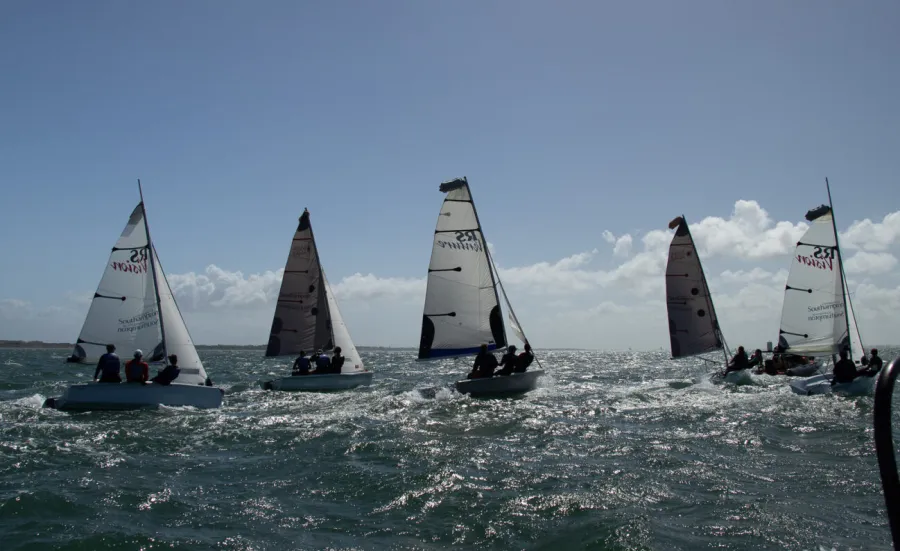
[813,321]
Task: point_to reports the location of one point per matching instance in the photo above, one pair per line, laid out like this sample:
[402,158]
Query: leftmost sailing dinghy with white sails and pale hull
[134,308]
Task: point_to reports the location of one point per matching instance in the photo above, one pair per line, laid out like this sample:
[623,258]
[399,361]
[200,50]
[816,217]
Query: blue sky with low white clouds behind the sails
[583,127]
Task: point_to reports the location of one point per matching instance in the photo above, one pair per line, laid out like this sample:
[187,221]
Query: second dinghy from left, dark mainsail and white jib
[307,319]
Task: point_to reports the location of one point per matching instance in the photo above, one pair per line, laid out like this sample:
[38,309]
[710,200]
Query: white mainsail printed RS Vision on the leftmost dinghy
[123,311]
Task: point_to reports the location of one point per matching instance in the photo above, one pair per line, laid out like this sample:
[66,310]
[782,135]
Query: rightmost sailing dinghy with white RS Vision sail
[817,316]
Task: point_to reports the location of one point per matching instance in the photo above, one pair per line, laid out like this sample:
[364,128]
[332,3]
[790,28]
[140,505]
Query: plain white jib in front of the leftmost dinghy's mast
[178,339]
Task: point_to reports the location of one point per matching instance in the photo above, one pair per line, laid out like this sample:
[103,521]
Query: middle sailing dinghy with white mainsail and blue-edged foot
[462,306]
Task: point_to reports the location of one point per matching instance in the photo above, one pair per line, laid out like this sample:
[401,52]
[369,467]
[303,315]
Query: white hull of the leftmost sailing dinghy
[112,396]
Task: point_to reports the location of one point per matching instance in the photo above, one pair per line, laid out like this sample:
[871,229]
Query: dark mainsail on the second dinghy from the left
[302,321]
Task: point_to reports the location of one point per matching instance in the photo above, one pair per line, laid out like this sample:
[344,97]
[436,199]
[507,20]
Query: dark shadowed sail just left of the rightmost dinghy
[693,325]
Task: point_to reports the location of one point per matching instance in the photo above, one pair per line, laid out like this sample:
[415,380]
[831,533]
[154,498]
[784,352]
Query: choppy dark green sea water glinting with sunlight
[614,451]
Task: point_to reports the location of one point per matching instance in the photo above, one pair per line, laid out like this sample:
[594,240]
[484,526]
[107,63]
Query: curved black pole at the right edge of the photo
[884,447]
